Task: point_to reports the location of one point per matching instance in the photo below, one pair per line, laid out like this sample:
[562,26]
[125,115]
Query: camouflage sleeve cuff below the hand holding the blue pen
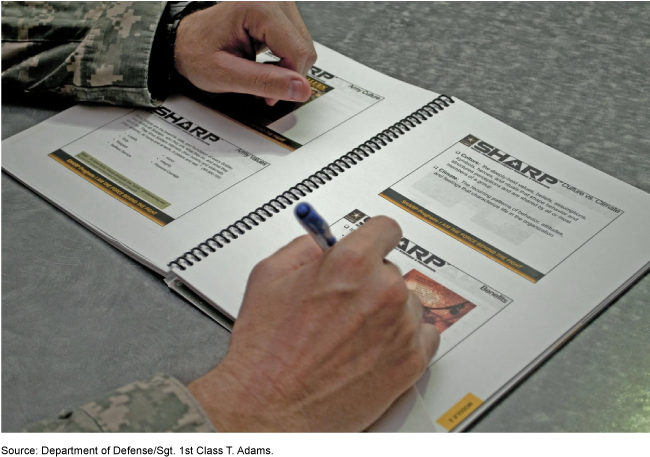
[161,404]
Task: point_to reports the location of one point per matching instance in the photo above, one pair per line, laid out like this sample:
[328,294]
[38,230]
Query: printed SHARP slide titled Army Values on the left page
[159,163]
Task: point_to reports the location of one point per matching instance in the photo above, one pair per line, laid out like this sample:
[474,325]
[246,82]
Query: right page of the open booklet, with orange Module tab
[510,245]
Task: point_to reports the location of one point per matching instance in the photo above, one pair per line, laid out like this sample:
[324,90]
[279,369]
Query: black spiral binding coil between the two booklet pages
[313,182]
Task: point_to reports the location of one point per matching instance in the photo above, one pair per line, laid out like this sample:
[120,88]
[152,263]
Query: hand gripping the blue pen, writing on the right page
[323,342]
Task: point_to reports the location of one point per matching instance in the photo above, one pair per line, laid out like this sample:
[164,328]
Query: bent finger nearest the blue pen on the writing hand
[378,235]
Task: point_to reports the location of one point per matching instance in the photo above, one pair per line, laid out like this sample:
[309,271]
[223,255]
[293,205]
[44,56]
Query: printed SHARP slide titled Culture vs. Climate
[520,216]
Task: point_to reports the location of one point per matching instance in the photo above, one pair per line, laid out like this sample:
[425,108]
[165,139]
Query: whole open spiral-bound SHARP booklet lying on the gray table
[498,229]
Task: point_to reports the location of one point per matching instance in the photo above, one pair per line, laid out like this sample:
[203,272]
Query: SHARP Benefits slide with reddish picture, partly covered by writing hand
[455,302]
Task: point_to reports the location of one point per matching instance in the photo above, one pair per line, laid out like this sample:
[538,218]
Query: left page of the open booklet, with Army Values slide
[156,182]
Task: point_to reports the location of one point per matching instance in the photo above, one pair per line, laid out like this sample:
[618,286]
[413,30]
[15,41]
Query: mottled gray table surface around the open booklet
[80,318]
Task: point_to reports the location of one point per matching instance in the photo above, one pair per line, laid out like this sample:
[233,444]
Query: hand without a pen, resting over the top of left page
[215,50]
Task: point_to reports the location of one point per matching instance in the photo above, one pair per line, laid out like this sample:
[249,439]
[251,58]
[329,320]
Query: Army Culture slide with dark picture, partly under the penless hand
[293,124]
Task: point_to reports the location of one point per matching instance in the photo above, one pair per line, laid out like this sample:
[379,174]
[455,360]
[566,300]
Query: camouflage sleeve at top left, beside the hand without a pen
[92,51]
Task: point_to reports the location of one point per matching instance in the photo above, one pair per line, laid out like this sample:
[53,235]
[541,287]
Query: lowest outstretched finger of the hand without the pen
[263,80]
